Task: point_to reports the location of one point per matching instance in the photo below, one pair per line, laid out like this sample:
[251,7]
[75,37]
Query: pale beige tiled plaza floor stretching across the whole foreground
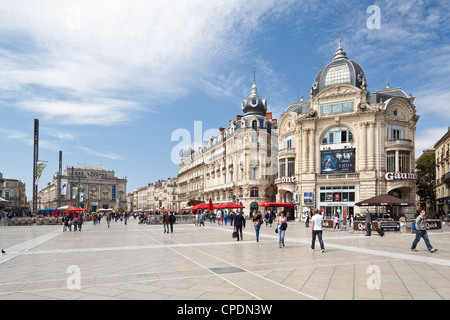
[204,263]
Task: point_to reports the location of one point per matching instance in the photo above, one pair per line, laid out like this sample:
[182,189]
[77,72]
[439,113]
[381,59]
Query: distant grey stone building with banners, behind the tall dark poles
[85,186]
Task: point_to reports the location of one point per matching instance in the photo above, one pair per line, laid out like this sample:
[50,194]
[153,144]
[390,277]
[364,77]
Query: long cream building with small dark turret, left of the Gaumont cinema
[238,165]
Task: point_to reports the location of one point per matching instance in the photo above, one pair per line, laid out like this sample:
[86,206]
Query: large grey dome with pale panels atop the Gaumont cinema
[339,70]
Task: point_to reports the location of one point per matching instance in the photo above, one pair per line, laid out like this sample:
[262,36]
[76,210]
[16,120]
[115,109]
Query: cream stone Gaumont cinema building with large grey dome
[346,144]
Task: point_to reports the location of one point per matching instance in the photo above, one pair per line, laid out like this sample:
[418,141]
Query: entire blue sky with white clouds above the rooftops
[110,81]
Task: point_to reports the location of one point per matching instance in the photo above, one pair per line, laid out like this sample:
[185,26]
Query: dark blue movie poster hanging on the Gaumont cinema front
[337,161]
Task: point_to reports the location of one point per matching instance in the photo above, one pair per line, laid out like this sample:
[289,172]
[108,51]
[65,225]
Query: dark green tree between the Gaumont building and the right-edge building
[426,181]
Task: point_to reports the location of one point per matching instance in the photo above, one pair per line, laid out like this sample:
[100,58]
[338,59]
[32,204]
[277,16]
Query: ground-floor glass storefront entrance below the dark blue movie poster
[338,200]
